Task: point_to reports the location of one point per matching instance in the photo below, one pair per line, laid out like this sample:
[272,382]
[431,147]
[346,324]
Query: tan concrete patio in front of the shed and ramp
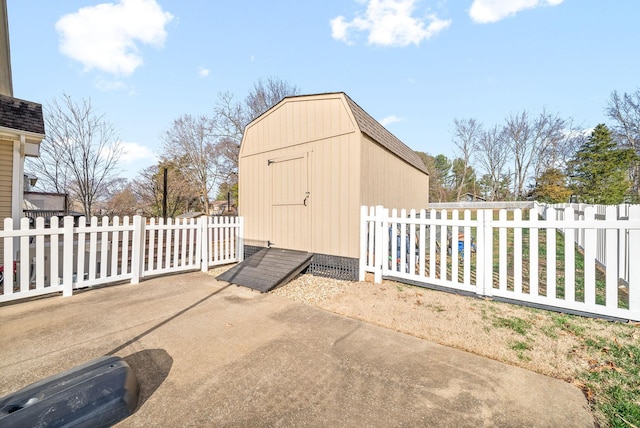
[211,354]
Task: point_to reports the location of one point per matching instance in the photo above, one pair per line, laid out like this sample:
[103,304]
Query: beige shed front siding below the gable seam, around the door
[333,199]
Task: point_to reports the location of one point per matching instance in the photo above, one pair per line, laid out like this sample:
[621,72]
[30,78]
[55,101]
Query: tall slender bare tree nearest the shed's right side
[465,136]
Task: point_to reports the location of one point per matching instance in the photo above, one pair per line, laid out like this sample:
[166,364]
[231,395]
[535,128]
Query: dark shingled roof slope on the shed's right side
[368,125]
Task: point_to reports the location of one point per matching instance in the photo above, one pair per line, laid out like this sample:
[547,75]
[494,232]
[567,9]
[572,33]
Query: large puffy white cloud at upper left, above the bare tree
[107,37]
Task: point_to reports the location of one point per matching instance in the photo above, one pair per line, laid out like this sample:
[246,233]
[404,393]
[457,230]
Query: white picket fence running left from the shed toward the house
[60,258]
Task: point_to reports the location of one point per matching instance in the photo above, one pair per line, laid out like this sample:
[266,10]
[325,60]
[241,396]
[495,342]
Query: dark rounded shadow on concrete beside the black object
[151,367]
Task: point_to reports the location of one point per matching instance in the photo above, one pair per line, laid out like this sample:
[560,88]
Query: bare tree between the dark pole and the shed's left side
[191,144]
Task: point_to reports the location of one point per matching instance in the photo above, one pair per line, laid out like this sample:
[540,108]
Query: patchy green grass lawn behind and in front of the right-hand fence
[611,379]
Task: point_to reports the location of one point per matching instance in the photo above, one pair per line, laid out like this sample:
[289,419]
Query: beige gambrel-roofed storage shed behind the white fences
[307,165]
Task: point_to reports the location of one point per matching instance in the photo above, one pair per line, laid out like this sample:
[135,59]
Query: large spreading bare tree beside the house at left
[80,154]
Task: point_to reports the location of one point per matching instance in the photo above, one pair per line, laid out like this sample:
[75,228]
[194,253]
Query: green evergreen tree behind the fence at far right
[600,170]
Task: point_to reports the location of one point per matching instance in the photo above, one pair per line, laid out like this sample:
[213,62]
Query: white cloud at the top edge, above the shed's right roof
[389,23]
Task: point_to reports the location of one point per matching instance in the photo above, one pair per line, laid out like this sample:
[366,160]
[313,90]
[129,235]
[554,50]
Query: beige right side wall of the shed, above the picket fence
[389,181]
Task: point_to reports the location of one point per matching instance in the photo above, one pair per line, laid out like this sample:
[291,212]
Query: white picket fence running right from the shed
[522,259]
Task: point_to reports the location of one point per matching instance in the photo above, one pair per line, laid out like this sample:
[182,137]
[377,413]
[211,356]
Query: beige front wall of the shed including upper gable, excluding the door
[323,128]
